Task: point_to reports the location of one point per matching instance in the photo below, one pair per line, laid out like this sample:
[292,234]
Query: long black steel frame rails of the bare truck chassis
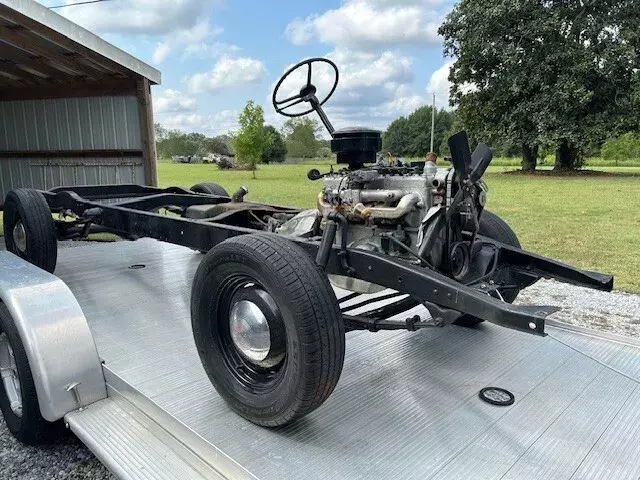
[133,217]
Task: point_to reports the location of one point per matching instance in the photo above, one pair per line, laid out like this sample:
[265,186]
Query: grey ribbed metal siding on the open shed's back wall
[91,123]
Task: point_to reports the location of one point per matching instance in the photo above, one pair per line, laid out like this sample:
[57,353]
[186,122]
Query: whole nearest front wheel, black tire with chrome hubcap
[276,375]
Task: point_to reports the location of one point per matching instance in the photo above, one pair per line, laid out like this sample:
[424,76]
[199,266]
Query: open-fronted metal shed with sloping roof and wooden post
[74,109]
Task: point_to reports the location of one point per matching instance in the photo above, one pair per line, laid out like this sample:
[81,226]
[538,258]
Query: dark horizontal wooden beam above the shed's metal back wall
[78,89]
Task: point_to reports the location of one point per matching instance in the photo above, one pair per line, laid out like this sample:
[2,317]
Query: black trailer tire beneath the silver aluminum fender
[24,421]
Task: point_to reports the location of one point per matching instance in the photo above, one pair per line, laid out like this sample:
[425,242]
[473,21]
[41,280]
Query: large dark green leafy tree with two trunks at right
[556,73]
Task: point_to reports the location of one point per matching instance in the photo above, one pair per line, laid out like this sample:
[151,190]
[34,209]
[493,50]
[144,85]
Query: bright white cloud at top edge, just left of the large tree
[366,24]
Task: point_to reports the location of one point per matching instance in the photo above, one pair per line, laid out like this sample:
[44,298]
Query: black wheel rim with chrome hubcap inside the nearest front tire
[251,334]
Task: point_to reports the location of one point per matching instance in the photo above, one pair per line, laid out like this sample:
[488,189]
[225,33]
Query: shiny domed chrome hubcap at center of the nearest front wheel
[250,331]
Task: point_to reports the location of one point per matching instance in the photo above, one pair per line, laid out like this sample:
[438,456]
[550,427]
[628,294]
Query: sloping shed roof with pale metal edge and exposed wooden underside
[38,47]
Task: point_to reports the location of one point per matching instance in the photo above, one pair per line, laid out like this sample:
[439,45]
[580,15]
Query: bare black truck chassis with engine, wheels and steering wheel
[269,329]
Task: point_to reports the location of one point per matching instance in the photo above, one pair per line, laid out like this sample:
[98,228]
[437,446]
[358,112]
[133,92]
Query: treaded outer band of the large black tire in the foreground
[321,330]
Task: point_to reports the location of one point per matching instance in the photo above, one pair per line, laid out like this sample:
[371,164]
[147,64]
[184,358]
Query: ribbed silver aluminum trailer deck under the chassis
[406,405]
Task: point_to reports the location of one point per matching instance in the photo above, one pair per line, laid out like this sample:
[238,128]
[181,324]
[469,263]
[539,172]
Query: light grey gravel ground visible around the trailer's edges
[611,312]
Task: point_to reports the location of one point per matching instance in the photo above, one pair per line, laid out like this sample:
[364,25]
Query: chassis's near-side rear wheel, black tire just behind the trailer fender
[29,230]
